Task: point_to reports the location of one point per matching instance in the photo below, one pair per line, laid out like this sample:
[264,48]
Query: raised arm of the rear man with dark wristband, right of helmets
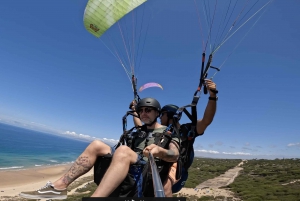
[210,110]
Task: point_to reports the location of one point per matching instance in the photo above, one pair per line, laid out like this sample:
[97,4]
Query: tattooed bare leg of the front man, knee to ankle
[83,163]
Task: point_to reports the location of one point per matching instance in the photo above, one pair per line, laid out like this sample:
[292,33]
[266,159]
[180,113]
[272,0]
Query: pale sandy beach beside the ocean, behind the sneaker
[15,181]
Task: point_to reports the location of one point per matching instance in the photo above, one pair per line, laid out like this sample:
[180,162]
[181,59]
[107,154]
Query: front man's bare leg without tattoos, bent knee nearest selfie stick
[116,172]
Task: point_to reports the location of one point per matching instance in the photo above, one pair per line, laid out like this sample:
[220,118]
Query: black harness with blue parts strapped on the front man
[138,182]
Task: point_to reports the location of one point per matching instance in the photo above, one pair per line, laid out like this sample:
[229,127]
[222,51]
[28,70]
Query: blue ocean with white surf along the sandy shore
[21,148]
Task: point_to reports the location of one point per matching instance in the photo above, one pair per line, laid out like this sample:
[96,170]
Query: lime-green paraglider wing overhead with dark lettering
[100,15]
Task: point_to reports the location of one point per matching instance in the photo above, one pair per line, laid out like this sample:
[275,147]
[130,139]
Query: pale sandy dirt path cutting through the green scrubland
[211,187]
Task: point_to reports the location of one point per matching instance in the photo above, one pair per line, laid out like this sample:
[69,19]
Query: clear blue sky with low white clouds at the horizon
[58,77]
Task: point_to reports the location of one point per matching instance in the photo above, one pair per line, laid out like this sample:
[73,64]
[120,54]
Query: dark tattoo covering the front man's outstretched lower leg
[81,166]
